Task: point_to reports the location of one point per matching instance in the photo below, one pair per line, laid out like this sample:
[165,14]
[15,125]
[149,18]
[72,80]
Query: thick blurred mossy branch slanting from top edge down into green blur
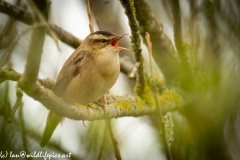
[163,51]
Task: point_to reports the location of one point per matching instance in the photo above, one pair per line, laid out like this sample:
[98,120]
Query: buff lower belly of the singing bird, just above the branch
[84,90]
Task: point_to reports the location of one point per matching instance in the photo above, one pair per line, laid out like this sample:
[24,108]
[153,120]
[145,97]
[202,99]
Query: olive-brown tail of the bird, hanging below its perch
[52,121]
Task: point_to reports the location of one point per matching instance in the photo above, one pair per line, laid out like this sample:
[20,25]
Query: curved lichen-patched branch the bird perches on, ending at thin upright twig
[118,106]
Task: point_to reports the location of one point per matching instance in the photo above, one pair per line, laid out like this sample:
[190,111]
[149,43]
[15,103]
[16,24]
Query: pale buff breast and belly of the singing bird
[92,82]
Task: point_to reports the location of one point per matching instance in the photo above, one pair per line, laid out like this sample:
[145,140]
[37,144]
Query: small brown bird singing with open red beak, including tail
[87,74]
